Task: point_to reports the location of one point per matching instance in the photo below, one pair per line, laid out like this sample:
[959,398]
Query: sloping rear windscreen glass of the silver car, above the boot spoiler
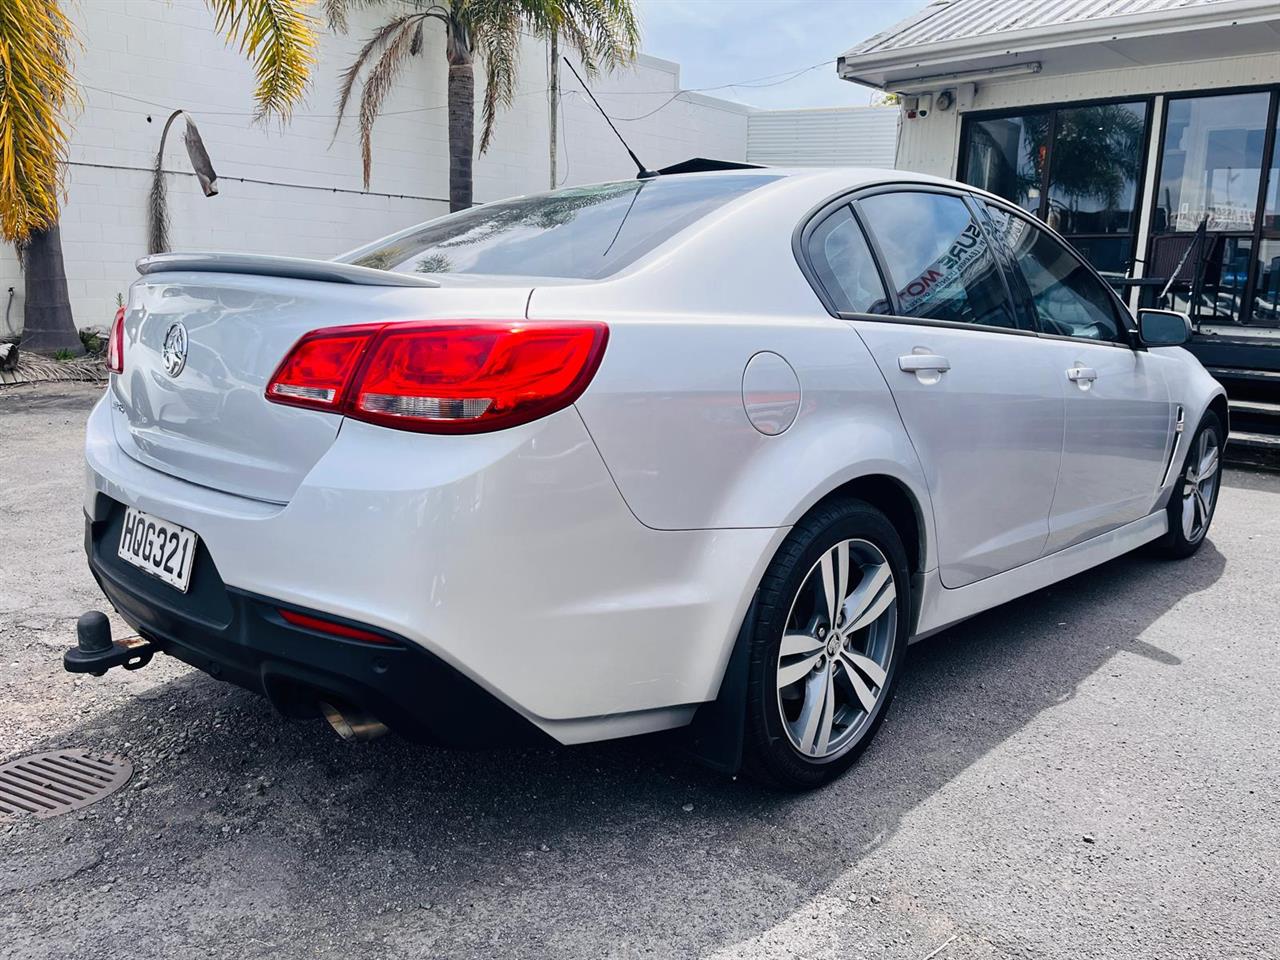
[583,232]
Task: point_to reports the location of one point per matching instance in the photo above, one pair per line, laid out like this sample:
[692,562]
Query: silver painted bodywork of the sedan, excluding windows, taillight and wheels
[592,569]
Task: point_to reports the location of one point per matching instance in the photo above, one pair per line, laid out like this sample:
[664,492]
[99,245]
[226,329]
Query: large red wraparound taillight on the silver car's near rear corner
[442,377]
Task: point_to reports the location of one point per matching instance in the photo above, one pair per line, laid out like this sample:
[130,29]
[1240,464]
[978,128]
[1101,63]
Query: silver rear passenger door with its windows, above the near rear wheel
[977,392]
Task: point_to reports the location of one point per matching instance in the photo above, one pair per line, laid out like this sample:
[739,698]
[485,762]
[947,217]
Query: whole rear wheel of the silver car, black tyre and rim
[839,595]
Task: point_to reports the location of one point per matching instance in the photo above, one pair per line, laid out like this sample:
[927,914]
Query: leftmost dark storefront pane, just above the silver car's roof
[1007,157]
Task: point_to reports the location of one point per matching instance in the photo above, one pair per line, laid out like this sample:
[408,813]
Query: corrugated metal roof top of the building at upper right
[945,21]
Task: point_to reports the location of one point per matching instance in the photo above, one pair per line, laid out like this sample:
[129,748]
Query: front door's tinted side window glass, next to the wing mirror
[1069,300]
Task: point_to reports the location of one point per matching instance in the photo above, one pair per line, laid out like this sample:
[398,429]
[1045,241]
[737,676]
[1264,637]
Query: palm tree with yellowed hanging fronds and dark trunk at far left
[36,93]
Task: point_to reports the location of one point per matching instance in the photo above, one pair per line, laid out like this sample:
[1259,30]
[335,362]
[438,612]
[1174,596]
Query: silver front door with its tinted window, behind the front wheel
[1119,418]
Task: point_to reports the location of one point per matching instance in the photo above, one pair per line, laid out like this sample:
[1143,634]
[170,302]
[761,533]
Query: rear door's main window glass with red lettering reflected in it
[939,259]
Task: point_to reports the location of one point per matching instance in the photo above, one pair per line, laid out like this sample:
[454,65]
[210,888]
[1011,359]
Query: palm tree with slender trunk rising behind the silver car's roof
[602,33]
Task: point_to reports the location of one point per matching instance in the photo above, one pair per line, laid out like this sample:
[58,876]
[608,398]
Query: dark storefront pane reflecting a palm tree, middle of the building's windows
[1094,170]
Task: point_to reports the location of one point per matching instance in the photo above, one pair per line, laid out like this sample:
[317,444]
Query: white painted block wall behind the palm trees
[164,53]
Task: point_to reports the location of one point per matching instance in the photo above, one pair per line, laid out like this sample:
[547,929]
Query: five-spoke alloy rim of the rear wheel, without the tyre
[836,650]
